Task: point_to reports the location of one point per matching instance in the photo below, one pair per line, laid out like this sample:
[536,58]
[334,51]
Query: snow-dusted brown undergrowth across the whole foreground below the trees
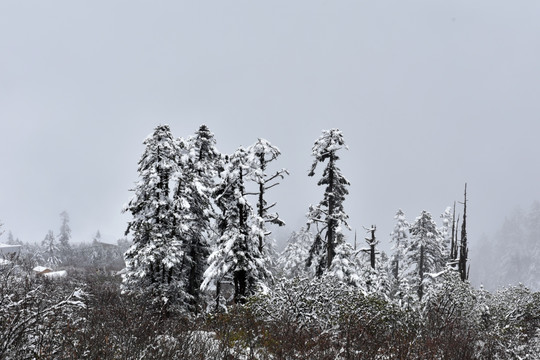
[87,317]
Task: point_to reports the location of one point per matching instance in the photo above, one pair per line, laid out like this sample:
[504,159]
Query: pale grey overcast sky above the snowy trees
[429,95]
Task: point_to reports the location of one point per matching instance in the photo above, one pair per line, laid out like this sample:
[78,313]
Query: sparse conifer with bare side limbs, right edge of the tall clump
[260,155]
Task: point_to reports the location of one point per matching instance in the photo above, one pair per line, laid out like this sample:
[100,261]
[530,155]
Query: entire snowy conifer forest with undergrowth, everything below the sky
[199,274]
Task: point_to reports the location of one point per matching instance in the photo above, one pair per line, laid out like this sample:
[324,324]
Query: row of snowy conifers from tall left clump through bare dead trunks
[200,229]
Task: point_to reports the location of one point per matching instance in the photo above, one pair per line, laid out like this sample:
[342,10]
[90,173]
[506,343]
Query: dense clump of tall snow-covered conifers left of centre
[195,228]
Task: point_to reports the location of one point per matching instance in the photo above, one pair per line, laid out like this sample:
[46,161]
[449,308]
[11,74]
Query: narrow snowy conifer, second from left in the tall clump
[193,206]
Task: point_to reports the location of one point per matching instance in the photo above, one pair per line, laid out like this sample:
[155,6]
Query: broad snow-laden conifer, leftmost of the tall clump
[154,261]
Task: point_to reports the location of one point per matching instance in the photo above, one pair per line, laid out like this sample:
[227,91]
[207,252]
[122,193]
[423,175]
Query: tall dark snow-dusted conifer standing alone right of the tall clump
[328,216]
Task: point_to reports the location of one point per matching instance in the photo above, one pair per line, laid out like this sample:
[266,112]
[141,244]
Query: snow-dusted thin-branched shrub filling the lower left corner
[34,315]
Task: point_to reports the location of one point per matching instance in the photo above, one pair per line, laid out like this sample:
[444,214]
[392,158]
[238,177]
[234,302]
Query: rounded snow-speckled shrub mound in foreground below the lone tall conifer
[331,319]
